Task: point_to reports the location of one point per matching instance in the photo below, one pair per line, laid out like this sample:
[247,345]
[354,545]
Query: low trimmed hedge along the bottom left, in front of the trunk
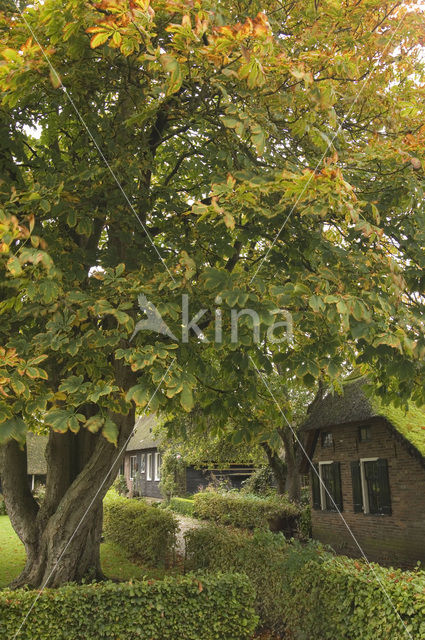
[213,607]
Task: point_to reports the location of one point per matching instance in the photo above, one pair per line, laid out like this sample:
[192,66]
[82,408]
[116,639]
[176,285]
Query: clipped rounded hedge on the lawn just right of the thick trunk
[145,533]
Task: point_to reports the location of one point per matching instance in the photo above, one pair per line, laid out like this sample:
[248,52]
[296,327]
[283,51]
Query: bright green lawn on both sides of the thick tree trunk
[114,563]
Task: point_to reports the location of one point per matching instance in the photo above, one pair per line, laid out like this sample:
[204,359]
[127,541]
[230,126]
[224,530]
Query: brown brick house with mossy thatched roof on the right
[371,459]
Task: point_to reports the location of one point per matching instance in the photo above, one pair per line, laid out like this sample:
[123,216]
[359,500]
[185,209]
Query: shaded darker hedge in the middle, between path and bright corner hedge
[261,556]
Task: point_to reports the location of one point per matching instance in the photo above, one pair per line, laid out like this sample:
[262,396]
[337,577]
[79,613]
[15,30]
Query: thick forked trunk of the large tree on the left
[62,536]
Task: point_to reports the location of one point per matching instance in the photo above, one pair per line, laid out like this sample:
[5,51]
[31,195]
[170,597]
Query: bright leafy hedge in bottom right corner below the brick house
[336,597]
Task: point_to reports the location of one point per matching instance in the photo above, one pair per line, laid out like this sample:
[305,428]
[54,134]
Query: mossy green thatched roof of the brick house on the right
[359,404]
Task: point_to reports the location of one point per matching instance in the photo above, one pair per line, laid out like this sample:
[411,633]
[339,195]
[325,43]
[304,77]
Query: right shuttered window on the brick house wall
[371,487]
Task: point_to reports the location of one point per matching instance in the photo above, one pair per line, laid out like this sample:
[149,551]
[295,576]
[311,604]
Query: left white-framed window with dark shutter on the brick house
[326,486]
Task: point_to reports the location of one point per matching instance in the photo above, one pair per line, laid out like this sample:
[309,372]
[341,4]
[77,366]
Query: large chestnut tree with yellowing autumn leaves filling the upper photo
[247,154]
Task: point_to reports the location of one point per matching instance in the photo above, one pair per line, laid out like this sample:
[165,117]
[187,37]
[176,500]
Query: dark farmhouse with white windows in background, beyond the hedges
[142,465]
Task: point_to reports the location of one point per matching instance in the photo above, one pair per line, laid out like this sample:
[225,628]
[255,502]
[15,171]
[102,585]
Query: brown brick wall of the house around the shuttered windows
[396,539]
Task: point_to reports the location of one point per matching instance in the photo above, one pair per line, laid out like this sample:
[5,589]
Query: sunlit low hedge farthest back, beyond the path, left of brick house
[247,511]
